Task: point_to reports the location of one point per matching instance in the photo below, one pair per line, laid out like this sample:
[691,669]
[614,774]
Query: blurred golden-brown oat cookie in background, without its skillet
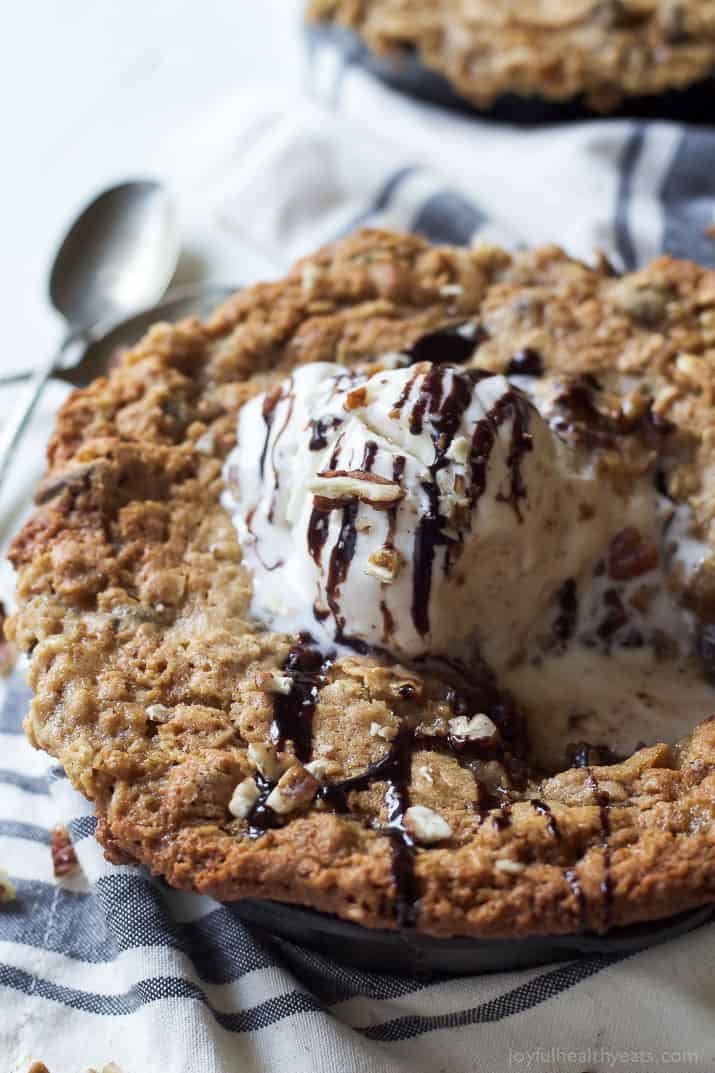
[603,51]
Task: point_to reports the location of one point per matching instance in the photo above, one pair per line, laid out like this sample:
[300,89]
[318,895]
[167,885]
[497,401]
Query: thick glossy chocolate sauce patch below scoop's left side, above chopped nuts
[293,713]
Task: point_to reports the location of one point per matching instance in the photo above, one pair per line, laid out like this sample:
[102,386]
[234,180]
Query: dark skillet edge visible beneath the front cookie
[408,952]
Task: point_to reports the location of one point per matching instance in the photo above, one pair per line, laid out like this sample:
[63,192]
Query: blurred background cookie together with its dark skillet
[536,61]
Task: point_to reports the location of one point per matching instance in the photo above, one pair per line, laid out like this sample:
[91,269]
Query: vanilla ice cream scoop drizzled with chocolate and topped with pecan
[427,509]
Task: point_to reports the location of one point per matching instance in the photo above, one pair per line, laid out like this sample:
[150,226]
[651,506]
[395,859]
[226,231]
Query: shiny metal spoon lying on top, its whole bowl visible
[120,256]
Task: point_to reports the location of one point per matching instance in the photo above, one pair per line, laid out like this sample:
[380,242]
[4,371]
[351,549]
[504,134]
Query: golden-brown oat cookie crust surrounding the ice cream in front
[151,681]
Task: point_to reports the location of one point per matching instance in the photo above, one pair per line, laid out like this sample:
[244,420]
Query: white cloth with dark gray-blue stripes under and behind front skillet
[112,965]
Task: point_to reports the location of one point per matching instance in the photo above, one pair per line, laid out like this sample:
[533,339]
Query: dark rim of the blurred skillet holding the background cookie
[405,72]
